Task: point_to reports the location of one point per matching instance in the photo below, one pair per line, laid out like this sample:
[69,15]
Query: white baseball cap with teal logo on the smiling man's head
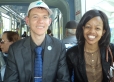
[39,4]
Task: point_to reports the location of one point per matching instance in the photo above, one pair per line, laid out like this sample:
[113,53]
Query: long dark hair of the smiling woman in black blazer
[105,39]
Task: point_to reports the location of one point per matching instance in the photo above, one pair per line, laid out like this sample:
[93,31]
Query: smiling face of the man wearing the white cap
[38,21]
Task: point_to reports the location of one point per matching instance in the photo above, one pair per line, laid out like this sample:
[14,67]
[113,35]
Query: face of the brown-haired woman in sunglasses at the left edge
[5,43]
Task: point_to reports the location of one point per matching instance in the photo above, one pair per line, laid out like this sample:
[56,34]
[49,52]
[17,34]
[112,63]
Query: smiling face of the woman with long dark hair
[93,31]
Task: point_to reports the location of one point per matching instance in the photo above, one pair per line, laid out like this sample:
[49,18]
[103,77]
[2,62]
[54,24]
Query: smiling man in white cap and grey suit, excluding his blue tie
[21,58]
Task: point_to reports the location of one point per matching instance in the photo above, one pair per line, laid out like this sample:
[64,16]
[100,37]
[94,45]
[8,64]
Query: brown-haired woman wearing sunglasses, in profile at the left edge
[8,38]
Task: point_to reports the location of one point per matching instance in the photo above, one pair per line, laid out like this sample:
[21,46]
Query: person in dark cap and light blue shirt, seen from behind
[70,38]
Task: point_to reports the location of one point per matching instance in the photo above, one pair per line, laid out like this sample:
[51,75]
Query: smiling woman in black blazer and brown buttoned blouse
[89,59]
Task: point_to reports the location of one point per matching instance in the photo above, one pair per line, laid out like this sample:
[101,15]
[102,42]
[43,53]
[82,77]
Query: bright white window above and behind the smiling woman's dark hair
[107,6]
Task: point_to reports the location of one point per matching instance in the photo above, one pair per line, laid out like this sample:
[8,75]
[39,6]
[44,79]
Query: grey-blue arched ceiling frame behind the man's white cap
[62,5]
